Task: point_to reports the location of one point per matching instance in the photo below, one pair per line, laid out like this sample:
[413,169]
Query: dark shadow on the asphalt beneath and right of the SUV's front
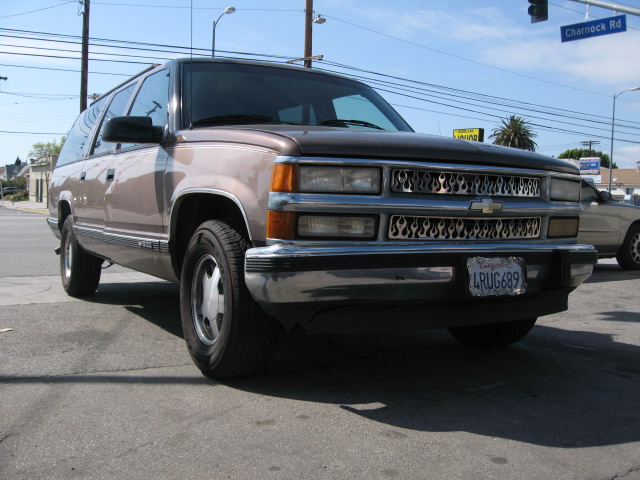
[557,388]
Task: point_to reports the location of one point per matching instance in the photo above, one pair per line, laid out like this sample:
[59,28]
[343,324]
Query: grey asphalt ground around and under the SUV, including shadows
[104,388]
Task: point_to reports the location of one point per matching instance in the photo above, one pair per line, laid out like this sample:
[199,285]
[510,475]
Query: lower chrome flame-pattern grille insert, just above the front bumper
[405,227]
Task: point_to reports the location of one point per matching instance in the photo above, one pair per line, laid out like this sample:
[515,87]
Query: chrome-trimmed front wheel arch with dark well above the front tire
[194,207]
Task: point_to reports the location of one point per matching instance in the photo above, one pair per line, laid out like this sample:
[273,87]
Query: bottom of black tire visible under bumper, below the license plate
[493,335]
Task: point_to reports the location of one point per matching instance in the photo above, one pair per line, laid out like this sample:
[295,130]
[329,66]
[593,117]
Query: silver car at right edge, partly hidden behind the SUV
[612,227]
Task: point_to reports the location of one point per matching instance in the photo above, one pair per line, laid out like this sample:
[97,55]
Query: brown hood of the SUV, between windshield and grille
[289,140]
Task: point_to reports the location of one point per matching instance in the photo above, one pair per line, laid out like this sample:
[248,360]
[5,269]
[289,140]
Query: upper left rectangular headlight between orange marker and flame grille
[339,180]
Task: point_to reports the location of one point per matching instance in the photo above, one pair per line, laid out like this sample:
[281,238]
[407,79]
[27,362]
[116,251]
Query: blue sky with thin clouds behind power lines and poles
[443,65]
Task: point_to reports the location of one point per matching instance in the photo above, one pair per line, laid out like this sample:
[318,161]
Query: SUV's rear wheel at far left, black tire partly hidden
[80,271]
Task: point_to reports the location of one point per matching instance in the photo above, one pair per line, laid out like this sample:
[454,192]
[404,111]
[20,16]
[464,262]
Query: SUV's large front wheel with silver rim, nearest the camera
[227,333]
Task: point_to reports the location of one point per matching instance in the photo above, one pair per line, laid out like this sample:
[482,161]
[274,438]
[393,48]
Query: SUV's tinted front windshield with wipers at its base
[239,94]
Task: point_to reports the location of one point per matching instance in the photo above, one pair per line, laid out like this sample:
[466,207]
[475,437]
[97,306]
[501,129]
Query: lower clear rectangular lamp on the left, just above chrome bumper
[320,226]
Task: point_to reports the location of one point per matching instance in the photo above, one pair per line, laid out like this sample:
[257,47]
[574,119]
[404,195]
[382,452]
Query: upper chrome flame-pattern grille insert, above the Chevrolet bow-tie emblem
[455,183]
